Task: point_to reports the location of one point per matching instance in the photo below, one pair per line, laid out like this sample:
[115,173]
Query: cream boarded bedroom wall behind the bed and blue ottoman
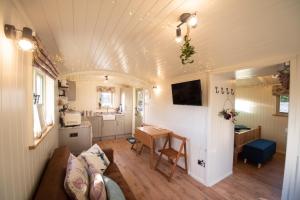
[257,106]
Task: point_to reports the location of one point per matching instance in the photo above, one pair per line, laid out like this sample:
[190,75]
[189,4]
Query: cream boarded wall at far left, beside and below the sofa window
[20,168]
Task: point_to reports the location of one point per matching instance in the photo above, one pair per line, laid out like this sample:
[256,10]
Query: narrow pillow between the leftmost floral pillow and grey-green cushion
[97,187]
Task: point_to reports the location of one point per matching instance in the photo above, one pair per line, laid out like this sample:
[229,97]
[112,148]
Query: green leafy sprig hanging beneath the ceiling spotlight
[187,50]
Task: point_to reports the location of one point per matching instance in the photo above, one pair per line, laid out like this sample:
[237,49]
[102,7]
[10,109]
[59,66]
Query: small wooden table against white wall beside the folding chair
[147,136]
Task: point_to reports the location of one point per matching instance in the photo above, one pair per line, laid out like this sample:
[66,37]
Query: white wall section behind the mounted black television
[188,121]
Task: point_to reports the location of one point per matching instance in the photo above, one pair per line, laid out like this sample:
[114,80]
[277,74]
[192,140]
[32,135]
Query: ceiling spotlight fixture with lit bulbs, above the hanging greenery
[191,21]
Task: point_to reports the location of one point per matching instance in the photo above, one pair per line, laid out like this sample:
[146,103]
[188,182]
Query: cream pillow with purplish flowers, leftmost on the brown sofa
[77,180]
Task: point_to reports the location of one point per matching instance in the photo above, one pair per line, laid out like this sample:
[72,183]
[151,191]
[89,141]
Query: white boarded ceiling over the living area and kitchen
[136,37]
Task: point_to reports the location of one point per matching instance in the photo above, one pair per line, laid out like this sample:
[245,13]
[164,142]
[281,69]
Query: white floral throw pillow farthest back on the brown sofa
[96,160]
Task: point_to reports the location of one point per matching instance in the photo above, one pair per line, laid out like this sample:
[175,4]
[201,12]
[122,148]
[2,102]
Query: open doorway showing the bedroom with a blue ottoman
[262,103]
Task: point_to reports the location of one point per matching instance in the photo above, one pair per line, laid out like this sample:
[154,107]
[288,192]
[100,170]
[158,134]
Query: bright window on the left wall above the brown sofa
[43,107]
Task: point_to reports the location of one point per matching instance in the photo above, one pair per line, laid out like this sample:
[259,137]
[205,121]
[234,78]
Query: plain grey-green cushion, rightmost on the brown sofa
[113,190]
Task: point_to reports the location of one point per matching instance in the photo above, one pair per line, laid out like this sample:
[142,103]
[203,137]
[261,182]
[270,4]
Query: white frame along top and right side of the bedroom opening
[291,179]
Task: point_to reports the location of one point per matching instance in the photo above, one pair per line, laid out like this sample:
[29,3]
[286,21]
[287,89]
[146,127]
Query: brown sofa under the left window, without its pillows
[51,185]
